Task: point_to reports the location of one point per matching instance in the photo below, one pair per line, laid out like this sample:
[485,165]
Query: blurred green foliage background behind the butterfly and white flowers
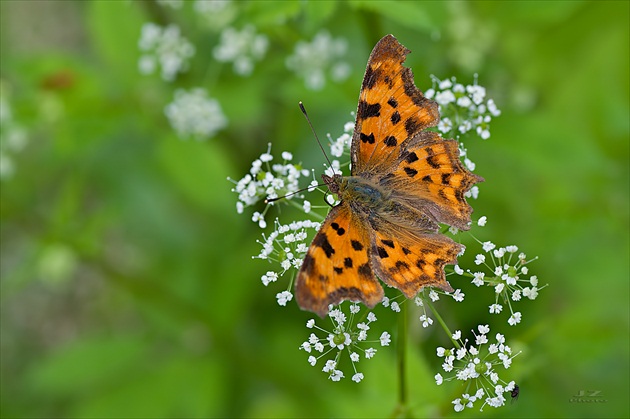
[128,288]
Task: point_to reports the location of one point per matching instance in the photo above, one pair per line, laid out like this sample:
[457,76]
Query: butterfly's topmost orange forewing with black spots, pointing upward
[391,109]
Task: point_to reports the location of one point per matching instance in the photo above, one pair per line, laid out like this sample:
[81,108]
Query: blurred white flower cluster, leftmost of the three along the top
[164,47]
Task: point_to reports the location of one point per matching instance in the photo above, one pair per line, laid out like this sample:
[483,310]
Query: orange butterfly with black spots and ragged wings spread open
[404,181]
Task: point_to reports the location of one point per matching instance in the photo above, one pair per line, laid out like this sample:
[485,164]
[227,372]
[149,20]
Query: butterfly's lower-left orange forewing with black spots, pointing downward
[337,265]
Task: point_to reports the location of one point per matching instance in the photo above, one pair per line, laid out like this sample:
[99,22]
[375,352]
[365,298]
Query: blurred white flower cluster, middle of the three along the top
[241,48]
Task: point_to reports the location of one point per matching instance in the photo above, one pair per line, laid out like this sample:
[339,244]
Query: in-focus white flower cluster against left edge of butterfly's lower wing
[286,246]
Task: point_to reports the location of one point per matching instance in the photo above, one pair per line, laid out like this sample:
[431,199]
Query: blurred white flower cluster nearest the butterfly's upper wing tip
[312,61]
